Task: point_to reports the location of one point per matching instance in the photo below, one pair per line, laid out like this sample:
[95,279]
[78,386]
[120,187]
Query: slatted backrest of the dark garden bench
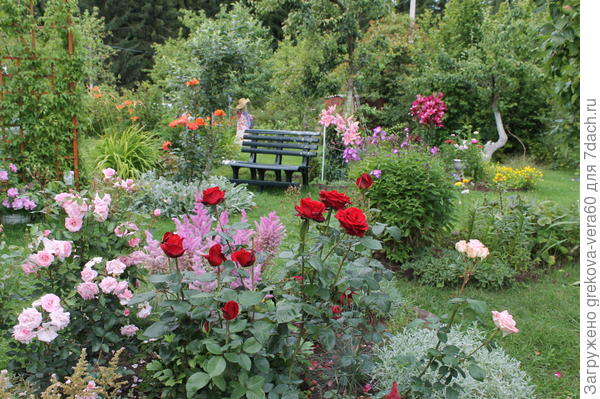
[280,143]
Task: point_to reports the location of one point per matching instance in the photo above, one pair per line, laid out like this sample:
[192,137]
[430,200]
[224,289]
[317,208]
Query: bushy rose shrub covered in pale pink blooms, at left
[87,256]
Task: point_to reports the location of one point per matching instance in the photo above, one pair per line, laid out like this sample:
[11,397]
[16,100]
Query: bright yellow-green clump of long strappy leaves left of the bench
[129,152]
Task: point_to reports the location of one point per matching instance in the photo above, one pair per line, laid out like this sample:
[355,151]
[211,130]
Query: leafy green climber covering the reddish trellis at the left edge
[41,94]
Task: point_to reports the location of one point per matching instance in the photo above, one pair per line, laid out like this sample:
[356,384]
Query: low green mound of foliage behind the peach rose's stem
[442,267]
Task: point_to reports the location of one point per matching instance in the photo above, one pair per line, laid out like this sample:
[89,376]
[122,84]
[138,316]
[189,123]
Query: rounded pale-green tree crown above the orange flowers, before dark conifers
[226,54]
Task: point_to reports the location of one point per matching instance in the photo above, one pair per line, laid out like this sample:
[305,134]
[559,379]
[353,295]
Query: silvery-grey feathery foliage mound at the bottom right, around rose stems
[503,377]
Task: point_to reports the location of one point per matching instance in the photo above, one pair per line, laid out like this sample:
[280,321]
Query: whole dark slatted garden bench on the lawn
[279,143]
